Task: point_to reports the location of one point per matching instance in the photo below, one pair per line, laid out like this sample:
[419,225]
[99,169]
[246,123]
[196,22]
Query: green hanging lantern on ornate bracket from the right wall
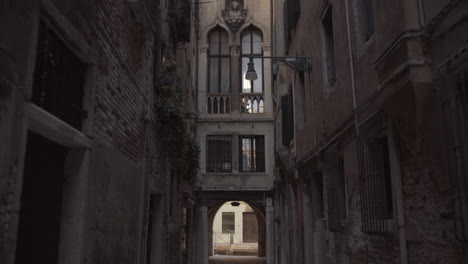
[300,64]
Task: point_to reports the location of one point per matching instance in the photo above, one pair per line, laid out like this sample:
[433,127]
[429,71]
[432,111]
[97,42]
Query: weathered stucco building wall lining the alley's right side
[385,71]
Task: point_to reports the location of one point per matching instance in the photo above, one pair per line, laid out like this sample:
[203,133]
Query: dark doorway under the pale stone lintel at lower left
[41,201]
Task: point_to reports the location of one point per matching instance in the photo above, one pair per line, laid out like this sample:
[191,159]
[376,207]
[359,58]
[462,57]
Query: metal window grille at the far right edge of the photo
[456,113]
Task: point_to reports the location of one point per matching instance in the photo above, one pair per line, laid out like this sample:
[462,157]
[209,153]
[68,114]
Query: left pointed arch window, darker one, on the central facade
[219,61]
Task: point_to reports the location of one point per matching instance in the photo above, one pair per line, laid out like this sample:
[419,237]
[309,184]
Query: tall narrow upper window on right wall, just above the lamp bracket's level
[329,60]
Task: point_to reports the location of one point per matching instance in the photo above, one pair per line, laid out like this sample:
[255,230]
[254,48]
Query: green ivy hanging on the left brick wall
[176,125]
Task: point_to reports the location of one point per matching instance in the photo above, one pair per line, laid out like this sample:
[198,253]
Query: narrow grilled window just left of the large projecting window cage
[335,188]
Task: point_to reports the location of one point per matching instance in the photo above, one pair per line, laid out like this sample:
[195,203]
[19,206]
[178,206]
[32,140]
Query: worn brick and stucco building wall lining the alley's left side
[87,182]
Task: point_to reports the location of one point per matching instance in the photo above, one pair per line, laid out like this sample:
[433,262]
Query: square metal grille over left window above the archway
[219,153]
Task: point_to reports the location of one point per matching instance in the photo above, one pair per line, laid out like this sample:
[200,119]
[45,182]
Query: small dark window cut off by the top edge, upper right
[364,19]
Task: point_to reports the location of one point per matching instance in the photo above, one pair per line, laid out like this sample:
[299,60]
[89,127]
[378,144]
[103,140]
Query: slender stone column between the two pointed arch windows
[235,78]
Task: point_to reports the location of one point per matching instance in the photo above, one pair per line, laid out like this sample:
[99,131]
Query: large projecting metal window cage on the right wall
[375,177]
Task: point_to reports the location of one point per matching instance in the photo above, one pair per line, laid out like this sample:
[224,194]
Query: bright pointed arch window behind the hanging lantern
[252,39]
